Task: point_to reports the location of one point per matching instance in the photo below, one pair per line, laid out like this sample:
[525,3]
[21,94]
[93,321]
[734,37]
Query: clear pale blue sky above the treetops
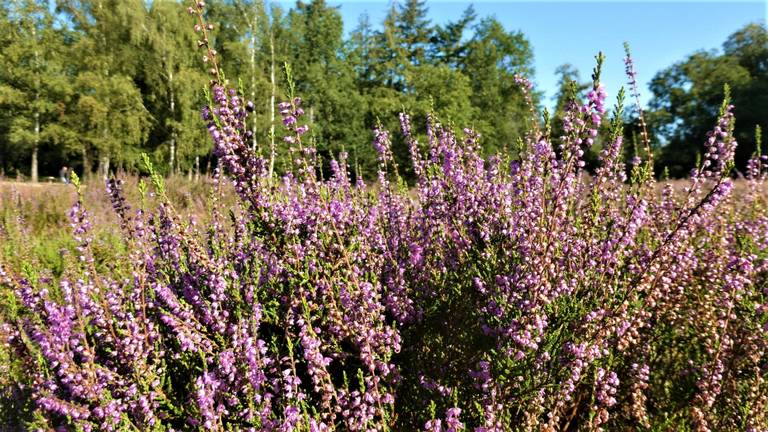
[660,33]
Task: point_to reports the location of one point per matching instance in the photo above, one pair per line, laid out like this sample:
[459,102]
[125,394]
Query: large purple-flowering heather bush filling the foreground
[513,292]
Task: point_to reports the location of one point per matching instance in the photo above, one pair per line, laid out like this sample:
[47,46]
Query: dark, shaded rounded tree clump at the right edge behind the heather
[687,97]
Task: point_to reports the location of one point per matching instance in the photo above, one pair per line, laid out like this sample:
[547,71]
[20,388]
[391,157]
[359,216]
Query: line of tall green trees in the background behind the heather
[92,84]
